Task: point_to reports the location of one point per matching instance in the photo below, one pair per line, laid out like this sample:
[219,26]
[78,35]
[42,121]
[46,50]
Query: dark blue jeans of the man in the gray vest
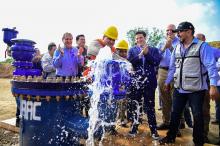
[195,100]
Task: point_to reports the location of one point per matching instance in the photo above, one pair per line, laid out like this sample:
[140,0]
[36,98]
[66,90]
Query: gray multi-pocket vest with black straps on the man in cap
[188,75]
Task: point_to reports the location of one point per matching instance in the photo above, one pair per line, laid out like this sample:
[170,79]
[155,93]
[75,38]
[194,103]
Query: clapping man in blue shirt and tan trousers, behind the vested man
[166,97]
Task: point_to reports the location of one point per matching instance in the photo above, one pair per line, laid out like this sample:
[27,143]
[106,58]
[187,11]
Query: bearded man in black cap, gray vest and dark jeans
[190,63]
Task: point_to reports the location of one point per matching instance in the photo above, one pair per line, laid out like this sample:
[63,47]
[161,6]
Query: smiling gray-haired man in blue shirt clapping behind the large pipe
[67,60]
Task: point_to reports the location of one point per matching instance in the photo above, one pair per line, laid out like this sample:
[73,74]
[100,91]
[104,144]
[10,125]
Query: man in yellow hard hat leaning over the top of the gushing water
[109,37]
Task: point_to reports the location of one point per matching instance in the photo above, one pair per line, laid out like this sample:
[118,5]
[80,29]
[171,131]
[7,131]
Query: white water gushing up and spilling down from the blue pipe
[103,99]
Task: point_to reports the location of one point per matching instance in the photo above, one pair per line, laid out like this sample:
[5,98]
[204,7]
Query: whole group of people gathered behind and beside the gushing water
[183,67]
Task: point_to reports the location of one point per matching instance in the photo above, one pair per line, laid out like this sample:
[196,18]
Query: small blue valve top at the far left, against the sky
[8,35]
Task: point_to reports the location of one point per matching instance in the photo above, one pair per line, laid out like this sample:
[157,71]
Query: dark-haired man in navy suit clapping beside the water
[144,60]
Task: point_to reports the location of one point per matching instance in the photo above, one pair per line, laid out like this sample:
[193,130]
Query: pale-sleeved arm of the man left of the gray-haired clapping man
[46,64]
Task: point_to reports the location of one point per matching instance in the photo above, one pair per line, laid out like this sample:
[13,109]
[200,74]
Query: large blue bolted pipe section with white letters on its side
[50,121]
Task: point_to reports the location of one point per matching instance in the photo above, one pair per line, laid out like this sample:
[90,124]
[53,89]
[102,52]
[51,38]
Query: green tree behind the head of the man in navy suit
[154,36]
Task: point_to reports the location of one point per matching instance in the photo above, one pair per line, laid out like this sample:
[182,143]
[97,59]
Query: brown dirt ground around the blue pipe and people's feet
[8,107]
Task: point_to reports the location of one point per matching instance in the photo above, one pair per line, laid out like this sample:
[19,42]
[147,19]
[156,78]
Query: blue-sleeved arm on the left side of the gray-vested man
[172,69]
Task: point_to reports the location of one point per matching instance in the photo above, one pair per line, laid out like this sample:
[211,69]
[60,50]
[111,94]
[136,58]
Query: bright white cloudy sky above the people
[45,21]
